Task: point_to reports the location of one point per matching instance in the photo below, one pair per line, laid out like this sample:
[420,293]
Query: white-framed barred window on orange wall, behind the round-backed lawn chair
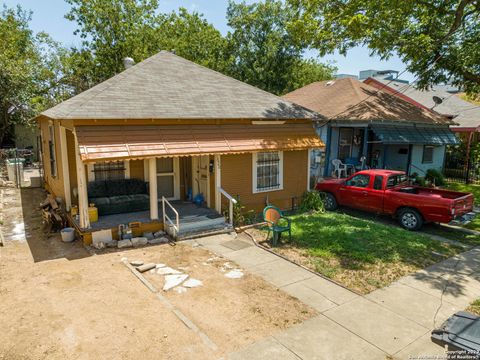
[267,171]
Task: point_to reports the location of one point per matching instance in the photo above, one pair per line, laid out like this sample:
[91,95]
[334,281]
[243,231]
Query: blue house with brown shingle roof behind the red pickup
[366,123]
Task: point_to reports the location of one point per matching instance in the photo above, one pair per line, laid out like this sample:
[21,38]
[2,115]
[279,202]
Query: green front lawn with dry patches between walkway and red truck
[361,254]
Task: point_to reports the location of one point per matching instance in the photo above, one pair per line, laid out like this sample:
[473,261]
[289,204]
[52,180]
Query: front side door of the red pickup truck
[354,193]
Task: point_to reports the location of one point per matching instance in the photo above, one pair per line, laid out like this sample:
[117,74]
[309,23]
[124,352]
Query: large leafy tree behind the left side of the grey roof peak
[115,29]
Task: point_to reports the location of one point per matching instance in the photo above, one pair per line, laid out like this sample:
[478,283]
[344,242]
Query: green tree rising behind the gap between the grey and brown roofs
[262,51]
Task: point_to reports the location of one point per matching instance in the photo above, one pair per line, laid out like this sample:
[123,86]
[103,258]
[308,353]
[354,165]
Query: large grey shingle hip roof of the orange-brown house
[166,86]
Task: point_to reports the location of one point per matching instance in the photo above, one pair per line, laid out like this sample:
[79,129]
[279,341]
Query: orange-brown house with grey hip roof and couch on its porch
[143,144]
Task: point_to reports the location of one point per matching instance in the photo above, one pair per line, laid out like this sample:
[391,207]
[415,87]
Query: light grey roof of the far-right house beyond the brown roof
[466,114]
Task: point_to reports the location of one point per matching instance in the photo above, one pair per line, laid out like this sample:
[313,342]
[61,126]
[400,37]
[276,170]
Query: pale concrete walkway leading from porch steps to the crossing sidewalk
[395,321]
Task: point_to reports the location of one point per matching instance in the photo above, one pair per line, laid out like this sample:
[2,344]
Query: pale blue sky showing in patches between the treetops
[48,16]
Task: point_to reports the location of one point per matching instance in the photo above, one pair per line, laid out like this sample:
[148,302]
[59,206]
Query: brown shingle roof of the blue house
[350,99]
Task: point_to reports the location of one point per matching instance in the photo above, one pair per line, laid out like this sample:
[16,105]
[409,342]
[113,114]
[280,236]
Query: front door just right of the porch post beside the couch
[168,179]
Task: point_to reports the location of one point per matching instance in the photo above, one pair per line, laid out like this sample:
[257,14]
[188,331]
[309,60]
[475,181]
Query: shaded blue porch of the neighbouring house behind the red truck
[403,147]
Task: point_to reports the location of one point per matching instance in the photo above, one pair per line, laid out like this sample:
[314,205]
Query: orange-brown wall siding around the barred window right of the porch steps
[236,179]
